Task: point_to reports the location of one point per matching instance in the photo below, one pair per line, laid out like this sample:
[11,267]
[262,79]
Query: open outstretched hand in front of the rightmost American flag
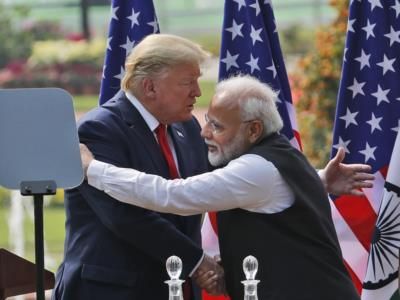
[339,178]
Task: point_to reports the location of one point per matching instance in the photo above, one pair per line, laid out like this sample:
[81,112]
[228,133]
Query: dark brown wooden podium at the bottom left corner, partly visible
[18,276]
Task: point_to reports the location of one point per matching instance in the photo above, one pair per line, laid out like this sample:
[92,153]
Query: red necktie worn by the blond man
[173,173]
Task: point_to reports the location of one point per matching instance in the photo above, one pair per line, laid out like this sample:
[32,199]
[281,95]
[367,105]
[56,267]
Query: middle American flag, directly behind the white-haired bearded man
[250,45]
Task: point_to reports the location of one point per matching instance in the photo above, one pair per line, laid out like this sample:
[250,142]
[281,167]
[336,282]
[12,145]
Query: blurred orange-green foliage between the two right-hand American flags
[317,83]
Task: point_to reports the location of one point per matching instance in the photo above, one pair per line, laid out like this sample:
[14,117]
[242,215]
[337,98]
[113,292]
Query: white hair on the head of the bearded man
[256,100]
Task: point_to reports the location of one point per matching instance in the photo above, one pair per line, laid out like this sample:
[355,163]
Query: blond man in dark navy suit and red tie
[118,251]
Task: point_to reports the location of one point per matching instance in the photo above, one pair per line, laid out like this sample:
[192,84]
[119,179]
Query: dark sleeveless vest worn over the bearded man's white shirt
[297,249]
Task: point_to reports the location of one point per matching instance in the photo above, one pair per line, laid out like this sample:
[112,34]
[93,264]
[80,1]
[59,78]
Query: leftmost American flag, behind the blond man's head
[131,21]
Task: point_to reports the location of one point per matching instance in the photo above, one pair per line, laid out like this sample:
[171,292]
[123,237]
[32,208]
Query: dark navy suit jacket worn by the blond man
[115,250]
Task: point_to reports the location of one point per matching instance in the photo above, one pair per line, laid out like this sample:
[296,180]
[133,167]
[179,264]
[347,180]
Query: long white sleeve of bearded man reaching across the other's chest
[245,183]
